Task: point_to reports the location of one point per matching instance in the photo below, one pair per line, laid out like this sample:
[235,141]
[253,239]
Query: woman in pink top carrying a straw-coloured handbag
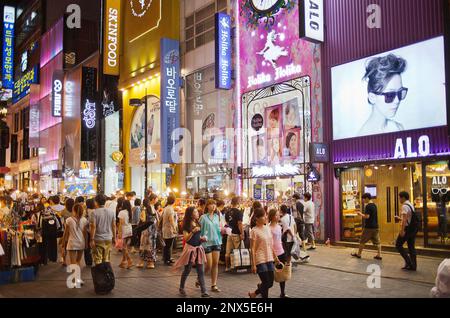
[283,275]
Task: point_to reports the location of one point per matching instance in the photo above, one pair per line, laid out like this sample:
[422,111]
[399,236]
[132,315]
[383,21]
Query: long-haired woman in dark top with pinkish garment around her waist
[193,252]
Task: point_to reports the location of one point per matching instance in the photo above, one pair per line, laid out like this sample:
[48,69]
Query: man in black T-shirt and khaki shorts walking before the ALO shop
[371,231]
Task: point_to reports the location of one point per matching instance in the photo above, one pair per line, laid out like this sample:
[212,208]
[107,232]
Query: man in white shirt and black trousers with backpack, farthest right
[408,233]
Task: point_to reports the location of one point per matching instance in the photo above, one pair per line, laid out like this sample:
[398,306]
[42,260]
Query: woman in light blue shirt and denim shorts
[210,223]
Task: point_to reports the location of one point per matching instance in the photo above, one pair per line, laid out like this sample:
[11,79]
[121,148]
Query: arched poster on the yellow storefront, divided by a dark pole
[137,137]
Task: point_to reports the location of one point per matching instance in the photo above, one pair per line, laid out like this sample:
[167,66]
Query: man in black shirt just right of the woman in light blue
[235,217]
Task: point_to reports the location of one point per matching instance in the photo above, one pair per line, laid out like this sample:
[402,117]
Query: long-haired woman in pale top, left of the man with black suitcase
[75,235]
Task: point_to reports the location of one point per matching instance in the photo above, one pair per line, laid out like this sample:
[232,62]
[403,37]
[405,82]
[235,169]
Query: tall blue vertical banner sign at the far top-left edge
[9,18]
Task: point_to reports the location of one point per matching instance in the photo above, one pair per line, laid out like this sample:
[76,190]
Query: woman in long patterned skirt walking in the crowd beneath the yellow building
[148,249]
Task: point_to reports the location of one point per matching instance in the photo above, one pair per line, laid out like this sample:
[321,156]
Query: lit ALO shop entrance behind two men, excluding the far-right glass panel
[384,183]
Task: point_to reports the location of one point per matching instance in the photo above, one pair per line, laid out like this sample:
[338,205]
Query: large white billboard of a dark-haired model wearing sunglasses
[395,91]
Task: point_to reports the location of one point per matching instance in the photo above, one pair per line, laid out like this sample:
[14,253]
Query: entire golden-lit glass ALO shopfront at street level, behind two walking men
[428,184]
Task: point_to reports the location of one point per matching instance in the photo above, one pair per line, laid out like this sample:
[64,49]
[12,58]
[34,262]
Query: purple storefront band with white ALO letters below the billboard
[411,144]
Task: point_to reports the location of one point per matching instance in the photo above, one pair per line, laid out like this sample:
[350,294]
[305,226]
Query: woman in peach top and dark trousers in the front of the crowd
[263,254]
